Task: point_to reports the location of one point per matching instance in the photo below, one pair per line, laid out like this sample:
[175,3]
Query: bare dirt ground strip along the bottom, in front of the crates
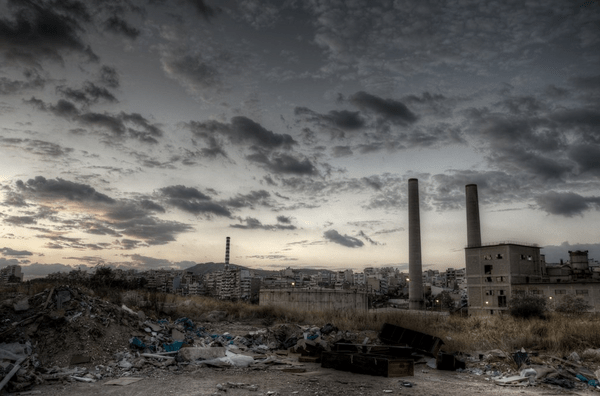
[193,381]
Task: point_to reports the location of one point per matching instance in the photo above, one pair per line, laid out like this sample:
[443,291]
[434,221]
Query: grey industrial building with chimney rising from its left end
[497,271]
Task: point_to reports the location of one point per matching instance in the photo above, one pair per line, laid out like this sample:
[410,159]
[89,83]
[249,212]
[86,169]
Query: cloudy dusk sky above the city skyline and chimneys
[141,133]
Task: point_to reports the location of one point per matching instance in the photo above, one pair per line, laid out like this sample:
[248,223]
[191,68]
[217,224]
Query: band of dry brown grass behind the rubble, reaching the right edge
[558,333]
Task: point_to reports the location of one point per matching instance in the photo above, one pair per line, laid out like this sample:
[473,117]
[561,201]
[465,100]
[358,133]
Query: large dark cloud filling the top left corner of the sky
[39,30]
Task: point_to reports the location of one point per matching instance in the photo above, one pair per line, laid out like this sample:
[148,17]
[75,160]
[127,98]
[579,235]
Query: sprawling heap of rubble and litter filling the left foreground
[64,334]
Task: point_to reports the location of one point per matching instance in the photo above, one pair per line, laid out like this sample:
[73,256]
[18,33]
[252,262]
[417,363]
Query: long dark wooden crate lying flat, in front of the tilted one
[367,363]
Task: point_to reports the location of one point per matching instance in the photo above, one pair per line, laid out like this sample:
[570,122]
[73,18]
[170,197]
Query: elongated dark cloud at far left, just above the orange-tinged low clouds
[52,189]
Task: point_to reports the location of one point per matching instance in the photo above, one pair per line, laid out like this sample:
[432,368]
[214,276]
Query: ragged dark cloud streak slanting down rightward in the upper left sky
[121,125]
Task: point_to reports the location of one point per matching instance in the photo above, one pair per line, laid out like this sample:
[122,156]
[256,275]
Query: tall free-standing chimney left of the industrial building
[415,286]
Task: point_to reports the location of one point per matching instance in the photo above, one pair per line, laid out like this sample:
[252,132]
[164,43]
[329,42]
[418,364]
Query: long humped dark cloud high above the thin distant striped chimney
[242,131]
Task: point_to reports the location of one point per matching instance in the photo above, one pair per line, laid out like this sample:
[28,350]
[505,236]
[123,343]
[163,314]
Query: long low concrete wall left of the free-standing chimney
[314,299]
